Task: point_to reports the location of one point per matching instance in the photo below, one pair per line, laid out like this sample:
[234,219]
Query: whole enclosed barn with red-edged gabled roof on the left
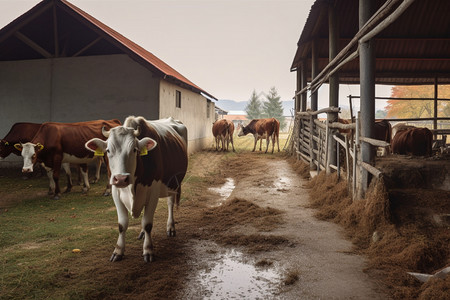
[58,63]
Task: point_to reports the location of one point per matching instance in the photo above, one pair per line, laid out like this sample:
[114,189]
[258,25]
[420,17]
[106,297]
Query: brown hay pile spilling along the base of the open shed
[393,232]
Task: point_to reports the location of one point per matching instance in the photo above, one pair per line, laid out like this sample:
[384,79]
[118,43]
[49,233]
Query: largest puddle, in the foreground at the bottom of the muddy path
[231,278]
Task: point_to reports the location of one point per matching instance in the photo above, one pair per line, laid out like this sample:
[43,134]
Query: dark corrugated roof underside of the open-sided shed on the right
[414,49]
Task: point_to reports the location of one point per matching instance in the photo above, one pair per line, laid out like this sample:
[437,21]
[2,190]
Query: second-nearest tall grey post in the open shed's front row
[333,29]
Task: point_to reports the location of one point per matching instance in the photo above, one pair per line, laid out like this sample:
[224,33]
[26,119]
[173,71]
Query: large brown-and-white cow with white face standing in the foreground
[148,160]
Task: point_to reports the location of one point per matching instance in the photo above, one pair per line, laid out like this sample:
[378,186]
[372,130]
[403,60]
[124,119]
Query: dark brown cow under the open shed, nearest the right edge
[413,141]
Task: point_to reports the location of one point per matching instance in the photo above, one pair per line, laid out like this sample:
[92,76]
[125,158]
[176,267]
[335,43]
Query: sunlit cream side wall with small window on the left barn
[193,113]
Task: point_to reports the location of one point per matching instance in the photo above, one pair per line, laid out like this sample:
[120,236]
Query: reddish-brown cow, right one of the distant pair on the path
[263,129]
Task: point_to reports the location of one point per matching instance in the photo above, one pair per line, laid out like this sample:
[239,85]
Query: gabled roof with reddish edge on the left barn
[57,28]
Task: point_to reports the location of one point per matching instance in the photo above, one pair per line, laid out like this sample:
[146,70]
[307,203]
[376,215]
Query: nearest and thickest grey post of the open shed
[367,91]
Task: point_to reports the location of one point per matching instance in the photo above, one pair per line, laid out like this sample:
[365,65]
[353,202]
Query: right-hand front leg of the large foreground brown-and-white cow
[147,223]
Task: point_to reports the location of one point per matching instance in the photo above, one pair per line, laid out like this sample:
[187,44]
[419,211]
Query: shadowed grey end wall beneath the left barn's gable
[75,89]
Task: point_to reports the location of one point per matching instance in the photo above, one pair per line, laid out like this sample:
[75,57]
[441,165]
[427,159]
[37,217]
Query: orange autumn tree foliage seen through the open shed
[418,108]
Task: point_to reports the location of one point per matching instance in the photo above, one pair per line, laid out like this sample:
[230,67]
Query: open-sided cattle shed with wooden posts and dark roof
[382,42]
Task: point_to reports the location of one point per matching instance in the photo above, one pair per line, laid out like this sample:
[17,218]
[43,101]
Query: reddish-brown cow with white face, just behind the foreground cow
[57,144]
